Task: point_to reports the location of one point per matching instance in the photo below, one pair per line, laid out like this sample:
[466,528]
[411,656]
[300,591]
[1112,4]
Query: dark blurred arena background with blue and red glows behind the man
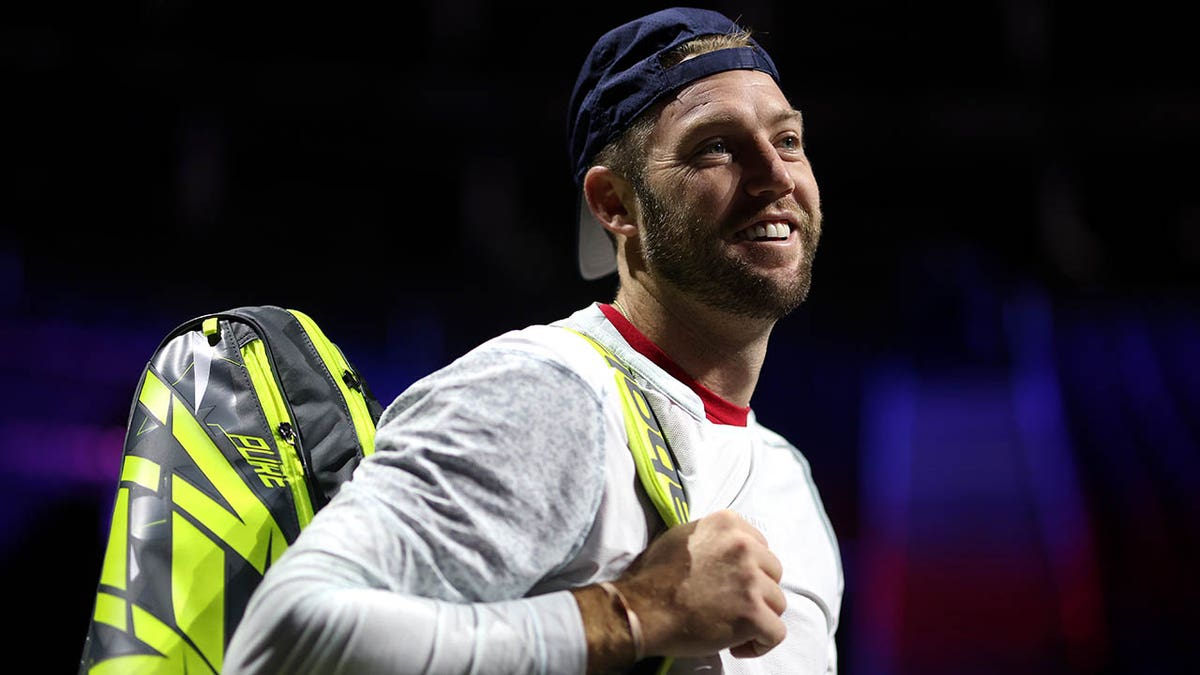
[997,379]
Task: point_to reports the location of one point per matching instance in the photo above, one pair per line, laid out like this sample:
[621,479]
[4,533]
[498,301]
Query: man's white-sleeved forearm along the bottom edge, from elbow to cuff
[297,630]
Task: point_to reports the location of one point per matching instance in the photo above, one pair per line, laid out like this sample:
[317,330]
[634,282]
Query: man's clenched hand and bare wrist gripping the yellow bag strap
[700,588]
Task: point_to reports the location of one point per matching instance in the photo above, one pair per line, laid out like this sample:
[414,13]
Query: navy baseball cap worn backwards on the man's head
[621,79]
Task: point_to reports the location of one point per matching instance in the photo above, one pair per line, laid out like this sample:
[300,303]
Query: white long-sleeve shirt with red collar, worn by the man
[505,480]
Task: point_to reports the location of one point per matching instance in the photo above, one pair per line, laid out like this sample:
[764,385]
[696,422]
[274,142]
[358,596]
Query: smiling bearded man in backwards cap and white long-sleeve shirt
[501,525]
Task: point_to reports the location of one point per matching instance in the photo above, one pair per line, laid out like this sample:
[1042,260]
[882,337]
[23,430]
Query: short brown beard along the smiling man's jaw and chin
[685,250]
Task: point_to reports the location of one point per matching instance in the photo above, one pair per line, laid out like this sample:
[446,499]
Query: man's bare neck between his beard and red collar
[721,351]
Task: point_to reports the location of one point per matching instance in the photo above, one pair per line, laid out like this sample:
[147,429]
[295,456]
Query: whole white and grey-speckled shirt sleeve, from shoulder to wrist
[487,479]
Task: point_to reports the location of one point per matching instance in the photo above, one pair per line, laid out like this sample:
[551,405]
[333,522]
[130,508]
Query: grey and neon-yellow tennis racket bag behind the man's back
[245,425]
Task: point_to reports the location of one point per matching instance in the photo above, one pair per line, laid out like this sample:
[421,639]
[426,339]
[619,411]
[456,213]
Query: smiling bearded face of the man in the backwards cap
[729,206]
